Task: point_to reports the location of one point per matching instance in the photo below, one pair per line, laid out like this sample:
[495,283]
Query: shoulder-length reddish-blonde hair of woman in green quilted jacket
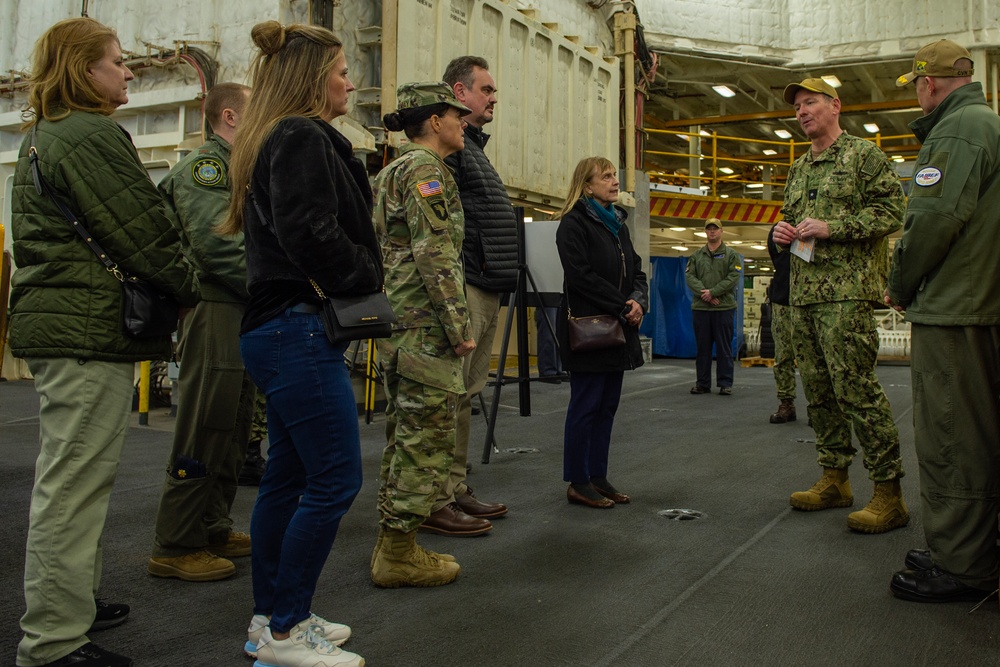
[59,83]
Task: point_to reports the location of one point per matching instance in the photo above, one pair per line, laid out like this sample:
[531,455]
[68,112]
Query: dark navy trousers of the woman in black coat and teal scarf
[593,402]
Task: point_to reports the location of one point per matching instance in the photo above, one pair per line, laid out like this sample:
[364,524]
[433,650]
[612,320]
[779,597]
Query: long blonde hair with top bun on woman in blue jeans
[287,78]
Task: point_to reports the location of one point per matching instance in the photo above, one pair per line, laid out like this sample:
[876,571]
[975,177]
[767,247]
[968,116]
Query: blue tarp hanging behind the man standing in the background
[668,321]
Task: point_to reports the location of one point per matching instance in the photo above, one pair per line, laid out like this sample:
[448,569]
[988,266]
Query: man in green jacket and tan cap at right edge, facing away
[945,271]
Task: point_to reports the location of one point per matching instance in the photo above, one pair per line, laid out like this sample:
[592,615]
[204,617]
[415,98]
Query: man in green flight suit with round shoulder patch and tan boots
[194,537]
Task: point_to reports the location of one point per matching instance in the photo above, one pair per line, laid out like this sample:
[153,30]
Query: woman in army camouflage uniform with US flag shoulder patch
[419,223]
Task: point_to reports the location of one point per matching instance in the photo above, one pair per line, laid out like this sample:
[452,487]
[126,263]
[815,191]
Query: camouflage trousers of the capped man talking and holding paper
[836,346]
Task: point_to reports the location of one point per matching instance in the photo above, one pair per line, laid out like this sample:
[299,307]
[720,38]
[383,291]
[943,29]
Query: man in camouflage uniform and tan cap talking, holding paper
[842,200]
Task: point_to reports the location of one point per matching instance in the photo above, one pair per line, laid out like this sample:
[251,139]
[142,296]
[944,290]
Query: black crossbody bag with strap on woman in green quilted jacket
[146,311]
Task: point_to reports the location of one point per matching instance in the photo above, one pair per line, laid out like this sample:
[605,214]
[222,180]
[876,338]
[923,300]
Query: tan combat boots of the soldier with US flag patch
[400,562]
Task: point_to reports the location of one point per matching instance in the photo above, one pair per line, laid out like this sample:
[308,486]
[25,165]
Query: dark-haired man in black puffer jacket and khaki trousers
[490,260]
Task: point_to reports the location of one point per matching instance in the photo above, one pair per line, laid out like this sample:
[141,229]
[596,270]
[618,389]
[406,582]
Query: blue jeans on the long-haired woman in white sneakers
[314,461]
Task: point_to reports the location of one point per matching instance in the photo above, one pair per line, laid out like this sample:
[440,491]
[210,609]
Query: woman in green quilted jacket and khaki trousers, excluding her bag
[66,322]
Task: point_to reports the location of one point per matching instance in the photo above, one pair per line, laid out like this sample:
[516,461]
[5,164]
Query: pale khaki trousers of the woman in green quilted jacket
[83,417]
